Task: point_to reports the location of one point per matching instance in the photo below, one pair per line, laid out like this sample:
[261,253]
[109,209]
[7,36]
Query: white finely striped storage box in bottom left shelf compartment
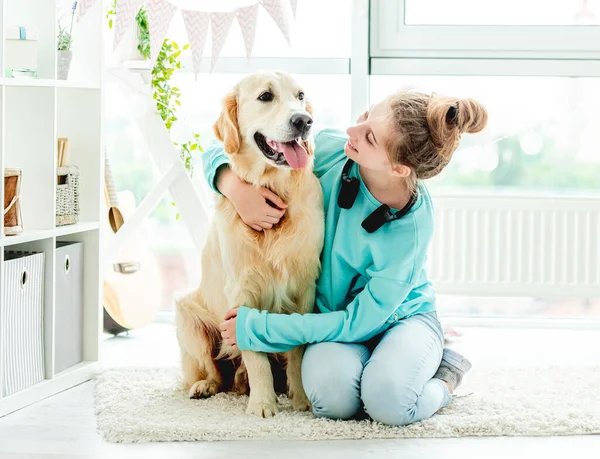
[22,325]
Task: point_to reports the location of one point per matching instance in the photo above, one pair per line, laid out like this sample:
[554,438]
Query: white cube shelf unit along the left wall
[35,112]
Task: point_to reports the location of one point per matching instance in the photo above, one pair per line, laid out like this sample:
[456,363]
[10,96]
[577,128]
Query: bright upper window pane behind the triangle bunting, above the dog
[321,29]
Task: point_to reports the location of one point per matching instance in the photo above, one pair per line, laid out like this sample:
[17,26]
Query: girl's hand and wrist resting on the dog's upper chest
[251,203]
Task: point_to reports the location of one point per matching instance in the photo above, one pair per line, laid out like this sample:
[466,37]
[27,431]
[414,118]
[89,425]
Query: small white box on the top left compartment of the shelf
[21,50]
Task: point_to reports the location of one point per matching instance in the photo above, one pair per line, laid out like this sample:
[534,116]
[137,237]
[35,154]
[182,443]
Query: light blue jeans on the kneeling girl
[389,376]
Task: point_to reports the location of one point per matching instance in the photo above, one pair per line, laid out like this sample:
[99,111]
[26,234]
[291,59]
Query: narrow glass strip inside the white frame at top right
[502,12]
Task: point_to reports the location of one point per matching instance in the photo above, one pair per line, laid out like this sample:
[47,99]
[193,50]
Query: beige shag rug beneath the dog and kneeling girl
[145,405]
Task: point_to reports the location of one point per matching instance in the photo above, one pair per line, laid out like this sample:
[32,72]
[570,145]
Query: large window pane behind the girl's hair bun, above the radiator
[541,134]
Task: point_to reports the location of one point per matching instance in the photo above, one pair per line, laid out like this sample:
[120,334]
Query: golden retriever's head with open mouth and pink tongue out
[268,112]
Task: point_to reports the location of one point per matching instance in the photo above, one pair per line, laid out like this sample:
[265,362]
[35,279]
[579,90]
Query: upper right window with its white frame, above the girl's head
[501,29]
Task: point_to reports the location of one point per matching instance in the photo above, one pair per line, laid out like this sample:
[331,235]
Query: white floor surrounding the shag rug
[63,426]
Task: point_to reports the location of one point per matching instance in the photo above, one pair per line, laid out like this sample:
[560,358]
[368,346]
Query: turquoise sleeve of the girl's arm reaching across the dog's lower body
[391,281]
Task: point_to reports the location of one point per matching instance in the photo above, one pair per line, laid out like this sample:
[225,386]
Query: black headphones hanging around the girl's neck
[380,216]
